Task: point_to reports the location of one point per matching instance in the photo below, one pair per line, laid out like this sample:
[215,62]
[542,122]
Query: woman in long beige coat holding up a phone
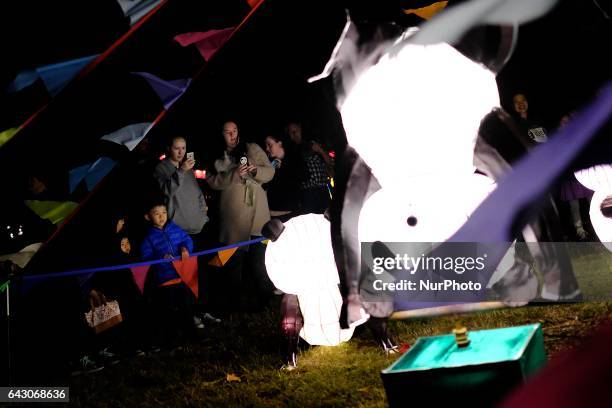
[241,171]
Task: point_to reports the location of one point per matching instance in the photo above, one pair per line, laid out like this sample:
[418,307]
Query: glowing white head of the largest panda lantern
[418,112]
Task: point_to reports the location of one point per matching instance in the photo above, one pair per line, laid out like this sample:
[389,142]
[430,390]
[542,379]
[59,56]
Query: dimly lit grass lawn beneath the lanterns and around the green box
[249,347]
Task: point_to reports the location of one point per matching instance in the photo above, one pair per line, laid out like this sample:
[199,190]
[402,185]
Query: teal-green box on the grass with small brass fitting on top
[436,370]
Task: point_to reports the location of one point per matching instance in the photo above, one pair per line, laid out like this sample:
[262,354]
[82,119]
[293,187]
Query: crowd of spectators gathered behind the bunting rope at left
[246,185]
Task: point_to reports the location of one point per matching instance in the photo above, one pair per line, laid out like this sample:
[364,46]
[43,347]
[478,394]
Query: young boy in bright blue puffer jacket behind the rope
[172,299]
